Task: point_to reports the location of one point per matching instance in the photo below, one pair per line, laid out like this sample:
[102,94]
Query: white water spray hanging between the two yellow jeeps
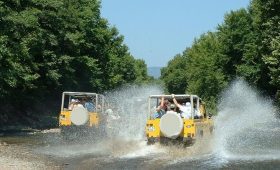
[131,104]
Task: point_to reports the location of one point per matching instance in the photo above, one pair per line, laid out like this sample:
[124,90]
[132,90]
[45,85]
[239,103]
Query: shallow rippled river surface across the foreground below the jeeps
[262,152]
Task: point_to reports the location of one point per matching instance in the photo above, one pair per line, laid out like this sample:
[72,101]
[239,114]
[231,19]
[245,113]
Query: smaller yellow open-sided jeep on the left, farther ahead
[81,112]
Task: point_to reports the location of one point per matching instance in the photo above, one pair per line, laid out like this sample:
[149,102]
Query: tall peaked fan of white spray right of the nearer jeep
[246,126]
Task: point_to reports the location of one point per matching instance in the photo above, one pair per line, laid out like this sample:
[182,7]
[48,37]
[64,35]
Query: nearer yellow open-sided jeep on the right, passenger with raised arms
[176,126]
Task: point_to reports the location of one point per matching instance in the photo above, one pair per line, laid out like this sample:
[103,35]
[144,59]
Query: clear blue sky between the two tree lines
[157,30]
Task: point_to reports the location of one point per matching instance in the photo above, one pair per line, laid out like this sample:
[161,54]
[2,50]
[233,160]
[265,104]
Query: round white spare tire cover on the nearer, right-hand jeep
[171,125]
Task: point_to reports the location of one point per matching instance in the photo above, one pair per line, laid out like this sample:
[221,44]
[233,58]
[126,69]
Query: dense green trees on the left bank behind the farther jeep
[50,46]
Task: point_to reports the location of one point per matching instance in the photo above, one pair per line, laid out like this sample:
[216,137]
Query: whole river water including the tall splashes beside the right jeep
[246,136]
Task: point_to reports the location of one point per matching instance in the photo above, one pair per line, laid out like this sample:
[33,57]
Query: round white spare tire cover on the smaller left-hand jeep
[79,115]
